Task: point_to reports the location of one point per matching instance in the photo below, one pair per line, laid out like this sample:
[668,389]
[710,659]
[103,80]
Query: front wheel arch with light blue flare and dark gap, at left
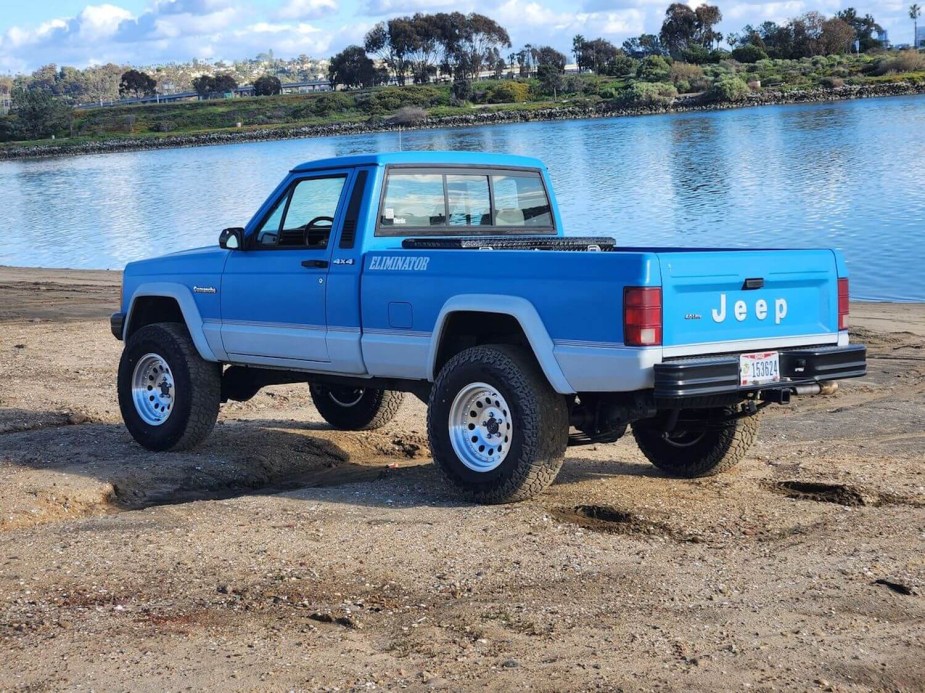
[166,302]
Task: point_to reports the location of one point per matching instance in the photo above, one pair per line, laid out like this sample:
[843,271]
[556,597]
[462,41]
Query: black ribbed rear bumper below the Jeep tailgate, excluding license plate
[719,375]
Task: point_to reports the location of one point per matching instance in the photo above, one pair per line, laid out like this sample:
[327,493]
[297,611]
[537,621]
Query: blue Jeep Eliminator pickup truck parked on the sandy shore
[447,275]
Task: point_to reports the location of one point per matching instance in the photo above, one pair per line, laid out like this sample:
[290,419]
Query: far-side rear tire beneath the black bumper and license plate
[691,455]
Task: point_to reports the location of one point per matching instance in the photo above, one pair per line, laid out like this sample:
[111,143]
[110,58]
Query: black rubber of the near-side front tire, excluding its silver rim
[197,394]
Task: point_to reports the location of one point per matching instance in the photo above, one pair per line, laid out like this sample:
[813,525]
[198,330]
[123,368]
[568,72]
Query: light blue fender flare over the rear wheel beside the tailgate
[523,312]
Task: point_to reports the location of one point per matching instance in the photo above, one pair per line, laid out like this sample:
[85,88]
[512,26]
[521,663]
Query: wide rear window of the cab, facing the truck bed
[418,202]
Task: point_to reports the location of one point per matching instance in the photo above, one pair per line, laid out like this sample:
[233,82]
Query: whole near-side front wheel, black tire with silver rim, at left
[168,394]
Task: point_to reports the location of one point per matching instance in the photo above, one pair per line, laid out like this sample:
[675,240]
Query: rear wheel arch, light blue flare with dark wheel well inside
[498,313]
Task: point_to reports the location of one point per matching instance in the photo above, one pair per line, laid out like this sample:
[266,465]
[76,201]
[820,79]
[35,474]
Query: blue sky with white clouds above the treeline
[150,32]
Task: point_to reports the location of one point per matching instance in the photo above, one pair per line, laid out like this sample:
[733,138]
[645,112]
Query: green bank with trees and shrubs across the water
[447,70]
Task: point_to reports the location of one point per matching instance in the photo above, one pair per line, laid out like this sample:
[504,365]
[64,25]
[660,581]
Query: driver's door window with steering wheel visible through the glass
[304,217]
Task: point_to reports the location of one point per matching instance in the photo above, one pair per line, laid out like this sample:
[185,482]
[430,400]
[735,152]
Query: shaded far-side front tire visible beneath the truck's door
[368,408]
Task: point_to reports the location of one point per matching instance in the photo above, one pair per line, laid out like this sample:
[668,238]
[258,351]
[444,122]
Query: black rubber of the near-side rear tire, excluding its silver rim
[539,416]
